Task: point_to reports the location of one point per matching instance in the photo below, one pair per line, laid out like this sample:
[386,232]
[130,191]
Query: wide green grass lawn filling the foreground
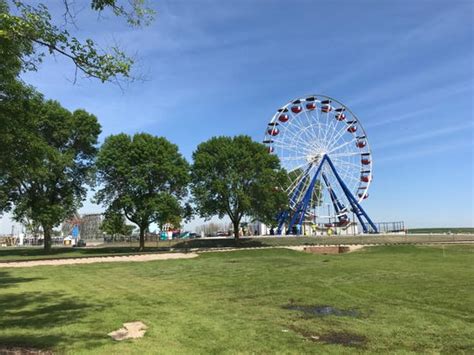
[406,299]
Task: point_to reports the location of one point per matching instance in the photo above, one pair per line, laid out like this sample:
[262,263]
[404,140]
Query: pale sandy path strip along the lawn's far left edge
[101,259]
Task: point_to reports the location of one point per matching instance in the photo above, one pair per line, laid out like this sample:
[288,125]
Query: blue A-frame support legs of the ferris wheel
[296,223]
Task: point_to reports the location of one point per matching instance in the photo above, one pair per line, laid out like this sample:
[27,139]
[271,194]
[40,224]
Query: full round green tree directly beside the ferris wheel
[237,177]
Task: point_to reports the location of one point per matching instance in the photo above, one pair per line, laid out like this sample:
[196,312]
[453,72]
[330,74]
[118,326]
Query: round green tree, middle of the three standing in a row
[144,177]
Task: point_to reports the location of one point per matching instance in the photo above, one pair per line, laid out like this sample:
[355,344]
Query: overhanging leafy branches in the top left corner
[29,33]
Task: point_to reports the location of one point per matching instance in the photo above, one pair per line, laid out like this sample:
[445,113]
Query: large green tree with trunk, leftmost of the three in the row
[46,159]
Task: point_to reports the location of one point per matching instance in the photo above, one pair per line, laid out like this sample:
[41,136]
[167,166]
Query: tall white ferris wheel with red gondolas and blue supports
[325,151]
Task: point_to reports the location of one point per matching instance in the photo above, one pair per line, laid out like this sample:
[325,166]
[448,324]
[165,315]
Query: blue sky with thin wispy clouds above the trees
[223,68]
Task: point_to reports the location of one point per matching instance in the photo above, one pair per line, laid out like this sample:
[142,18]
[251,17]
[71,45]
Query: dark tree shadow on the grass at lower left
[46,320]
